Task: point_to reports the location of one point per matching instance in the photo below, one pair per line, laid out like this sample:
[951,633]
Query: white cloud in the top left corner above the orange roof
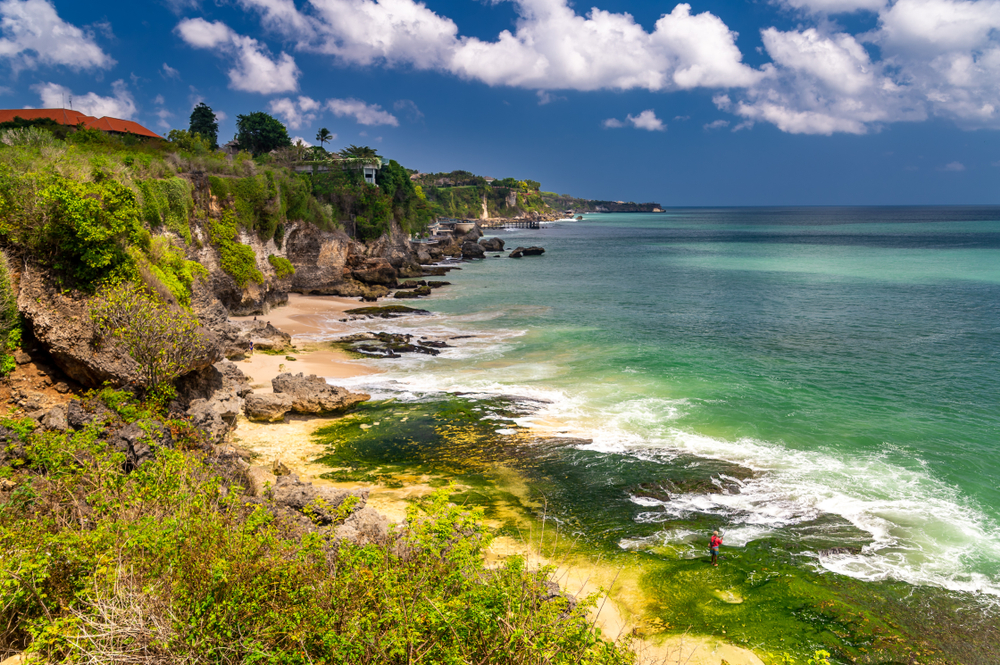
[33,34]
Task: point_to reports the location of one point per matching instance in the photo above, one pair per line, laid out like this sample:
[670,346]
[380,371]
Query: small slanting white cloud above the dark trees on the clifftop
[254,70]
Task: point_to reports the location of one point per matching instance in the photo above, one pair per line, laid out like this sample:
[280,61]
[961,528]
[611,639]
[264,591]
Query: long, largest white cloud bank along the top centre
[601,50]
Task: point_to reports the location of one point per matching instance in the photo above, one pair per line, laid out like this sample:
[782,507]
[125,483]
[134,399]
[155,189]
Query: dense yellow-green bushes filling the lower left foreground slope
[173,563]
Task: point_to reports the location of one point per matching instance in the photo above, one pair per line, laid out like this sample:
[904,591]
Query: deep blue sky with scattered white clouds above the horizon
[706,103]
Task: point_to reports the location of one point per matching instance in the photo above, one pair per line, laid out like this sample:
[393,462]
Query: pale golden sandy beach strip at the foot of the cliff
[292,443]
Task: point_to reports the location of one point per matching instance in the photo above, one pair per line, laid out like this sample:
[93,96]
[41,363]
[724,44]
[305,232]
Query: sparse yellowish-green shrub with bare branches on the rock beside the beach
[164,342]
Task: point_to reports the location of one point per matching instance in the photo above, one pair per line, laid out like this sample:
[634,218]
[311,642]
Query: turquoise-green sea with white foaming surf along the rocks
[848,357]
